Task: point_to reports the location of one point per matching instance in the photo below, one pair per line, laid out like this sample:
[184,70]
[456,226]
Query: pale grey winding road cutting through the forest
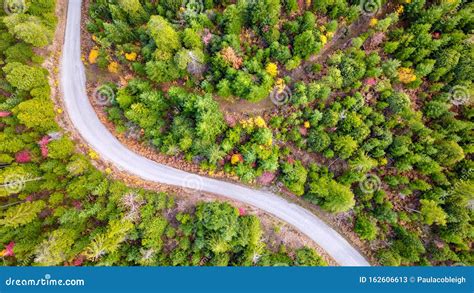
[85,120]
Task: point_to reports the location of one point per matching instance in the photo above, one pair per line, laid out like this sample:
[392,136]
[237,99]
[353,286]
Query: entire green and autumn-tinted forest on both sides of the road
[365,112]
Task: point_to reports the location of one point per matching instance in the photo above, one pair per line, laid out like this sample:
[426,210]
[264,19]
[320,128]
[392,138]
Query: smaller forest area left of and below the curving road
[57,209]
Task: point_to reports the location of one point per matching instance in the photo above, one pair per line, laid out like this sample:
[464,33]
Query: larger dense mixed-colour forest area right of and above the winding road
[371,114]
